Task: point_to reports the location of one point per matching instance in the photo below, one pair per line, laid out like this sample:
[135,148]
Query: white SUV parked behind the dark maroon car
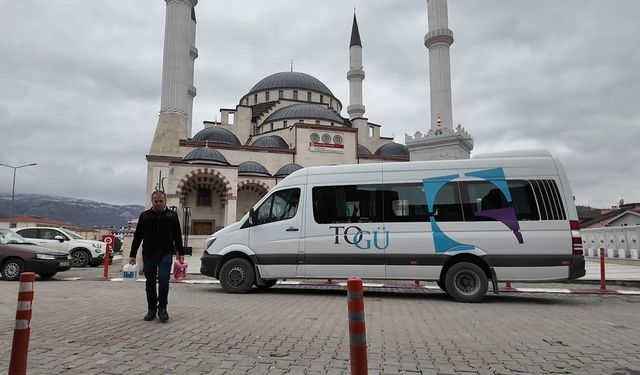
[84,252]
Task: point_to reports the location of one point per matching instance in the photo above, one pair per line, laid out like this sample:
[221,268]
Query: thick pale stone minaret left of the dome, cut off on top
[176,103]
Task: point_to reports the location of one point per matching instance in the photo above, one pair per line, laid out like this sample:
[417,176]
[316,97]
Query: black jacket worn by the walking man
[159,233]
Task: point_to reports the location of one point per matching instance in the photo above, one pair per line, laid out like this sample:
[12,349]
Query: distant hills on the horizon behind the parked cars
[81,212]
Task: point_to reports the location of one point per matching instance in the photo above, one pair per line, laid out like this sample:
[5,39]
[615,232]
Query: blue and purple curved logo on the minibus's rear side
[506,215]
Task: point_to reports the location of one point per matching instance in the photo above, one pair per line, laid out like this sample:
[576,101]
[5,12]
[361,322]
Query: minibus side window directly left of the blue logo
[404,202]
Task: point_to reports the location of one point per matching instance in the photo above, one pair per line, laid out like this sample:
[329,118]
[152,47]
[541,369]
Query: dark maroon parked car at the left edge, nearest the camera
[18,255]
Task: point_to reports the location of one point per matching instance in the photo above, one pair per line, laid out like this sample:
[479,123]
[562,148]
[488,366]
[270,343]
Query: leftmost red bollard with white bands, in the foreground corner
[20,347]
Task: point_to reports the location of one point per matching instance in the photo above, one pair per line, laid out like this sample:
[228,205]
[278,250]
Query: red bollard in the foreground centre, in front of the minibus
[357,334]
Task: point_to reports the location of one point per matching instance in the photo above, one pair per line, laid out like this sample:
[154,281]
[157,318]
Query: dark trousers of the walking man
[157,268]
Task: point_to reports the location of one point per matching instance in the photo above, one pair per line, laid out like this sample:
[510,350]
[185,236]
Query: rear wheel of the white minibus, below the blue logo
[466,282]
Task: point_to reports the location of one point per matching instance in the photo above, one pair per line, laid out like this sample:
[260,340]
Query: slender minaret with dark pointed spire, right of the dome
[355,75]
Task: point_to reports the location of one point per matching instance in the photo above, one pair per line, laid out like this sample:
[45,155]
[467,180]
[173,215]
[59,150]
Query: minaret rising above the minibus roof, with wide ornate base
[441,142]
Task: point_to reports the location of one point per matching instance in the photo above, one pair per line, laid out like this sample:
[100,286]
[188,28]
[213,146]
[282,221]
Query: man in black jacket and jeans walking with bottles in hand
[158,229]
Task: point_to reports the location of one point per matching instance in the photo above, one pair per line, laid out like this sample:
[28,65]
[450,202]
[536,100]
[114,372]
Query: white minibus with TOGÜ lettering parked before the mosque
[499,217]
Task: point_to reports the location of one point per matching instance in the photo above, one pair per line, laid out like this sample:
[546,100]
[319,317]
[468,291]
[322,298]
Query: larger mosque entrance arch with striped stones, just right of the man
[205,192]
